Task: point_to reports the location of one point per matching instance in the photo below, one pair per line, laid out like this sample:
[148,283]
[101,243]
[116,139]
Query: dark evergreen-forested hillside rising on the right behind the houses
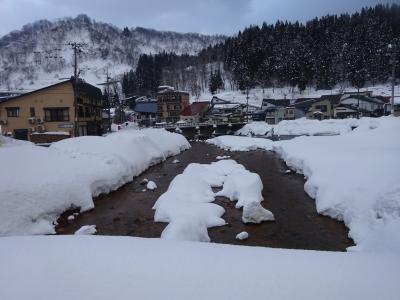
[324,52]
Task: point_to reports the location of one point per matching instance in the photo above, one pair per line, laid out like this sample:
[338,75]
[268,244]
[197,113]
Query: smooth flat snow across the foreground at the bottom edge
[99,267]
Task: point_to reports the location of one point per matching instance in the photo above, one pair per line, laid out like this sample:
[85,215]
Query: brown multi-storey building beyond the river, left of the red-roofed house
[170,104]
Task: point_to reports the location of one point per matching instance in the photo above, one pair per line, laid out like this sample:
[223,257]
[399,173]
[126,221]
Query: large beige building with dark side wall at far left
[49,112]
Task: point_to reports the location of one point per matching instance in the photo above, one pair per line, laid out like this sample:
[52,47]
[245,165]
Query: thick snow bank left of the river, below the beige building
[37,184]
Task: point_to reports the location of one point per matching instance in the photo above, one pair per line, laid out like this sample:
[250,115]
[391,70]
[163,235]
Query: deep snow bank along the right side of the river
[353,176]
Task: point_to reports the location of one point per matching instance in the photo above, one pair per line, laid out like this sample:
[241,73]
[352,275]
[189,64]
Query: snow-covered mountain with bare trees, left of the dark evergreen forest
[39,53]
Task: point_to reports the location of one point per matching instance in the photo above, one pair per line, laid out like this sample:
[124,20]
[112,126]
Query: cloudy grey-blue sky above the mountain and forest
[203,16]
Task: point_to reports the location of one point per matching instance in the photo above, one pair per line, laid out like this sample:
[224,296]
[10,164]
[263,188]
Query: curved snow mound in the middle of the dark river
[187,207]
